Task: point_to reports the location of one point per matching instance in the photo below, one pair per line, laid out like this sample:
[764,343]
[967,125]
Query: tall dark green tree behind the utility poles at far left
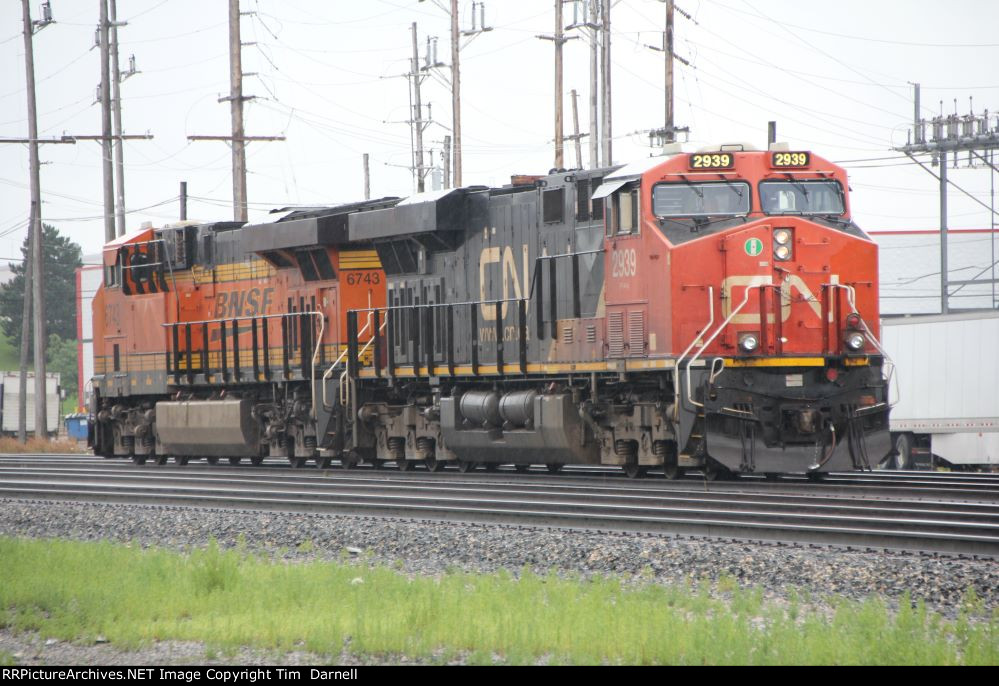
[61,257]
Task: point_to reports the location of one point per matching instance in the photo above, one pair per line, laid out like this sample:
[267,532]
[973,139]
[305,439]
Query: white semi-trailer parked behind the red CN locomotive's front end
[947,369]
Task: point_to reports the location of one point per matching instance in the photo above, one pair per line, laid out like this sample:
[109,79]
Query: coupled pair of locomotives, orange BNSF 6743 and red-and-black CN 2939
[715,311]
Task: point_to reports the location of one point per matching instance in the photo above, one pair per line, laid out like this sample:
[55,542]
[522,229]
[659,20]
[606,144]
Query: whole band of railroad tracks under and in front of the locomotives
[957,514]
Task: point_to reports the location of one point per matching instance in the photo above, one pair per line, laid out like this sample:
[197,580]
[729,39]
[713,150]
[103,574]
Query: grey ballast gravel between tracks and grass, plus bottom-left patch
[434,547]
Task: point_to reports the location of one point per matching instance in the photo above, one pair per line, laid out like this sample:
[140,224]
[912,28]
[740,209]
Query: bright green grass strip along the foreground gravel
[227,599]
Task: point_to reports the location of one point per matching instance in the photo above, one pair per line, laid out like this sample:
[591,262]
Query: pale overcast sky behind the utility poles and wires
[834,75]
